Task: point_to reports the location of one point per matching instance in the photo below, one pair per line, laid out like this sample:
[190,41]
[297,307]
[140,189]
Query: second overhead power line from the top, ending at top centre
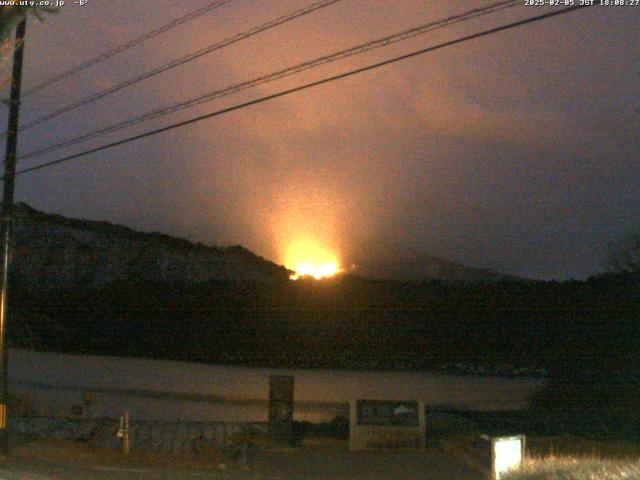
[180,61]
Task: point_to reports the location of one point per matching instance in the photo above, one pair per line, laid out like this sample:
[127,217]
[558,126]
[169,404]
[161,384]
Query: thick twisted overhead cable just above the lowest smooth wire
[365,47]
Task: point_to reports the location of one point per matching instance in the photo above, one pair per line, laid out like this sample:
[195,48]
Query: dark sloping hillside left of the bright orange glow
[52,251]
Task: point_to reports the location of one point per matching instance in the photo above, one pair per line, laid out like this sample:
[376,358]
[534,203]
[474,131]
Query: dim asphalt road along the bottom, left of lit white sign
[300,464]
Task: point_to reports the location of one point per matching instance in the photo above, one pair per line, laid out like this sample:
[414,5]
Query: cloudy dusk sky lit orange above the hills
[517,152]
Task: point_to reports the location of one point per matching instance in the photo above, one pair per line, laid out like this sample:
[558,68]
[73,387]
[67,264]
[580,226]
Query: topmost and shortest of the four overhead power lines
[125,46]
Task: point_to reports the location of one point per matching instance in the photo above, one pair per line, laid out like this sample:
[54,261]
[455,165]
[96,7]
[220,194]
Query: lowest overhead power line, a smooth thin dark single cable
[283,93]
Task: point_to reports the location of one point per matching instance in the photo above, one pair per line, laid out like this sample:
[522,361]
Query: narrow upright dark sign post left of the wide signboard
[281,409]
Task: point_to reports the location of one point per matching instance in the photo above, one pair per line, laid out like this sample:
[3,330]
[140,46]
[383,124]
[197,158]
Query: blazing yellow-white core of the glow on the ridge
[310,259]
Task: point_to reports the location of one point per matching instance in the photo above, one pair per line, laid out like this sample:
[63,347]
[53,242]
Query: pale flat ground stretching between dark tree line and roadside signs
[167,390]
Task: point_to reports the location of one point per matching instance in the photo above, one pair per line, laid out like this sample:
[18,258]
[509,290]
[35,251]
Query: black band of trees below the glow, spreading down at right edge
[584,334]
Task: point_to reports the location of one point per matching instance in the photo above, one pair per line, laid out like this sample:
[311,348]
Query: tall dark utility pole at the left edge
[7,210]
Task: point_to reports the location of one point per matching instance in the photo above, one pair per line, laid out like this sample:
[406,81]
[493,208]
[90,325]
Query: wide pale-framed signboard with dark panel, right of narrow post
[386,425]
